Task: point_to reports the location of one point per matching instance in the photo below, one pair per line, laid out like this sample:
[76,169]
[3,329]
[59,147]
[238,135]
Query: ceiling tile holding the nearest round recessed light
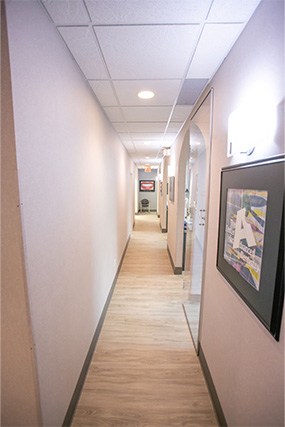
[165,91]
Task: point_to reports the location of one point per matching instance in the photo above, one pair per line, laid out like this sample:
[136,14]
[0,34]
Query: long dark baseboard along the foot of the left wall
[77,392]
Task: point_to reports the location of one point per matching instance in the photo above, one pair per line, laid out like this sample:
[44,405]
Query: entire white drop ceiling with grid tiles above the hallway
[172,47]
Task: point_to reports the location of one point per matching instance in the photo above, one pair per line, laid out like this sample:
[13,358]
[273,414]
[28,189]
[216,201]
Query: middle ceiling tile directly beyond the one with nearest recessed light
[146,114]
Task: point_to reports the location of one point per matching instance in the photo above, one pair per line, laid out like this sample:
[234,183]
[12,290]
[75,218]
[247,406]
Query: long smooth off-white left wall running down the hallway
[76,201]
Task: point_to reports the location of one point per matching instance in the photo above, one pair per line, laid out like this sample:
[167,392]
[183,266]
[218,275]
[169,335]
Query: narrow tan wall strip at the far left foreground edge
[19,390]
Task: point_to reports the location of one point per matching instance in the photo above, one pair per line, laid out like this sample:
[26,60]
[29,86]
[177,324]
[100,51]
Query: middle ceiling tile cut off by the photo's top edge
[147,11]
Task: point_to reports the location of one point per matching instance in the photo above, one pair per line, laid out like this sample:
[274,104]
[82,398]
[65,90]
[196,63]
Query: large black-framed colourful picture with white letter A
[254,192]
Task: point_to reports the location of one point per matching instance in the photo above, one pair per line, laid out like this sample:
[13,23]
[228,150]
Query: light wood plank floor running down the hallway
[145,371]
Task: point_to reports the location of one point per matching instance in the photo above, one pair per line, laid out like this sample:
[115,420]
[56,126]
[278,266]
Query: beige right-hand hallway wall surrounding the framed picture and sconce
[246,363]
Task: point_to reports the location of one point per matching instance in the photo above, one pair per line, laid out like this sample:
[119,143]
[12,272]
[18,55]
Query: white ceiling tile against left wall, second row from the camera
[82,44]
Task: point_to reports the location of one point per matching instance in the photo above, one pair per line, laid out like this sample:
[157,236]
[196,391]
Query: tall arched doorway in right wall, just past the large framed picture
[195,213]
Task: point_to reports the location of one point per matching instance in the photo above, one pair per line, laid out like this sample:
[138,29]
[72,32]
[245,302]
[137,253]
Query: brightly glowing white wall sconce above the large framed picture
[249,127]
